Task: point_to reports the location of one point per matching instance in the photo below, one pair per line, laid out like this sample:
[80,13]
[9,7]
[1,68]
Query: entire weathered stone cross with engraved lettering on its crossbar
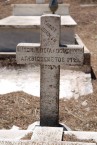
[50,55]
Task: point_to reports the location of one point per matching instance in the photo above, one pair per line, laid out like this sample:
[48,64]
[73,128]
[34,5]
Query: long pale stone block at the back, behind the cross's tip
[30,9]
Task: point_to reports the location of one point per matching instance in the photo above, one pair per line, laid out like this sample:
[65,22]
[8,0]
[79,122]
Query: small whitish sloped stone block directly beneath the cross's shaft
[47,134]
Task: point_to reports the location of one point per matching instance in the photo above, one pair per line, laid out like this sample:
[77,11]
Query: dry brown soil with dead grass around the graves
[21,109]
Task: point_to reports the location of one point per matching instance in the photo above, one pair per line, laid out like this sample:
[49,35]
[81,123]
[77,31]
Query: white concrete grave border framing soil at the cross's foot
[81,135]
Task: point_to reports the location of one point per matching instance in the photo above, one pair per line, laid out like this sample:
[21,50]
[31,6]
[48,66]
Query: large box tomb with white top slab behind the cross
[14,31]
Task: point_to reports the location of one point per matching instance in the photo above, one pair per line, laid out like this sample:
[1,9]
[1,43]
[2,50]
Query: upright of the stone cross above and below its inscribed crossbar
[50,74]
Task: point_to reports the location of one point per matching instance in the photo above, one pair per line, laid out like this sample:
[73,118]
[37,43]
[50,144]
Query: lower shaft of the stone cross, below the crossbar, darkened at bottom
[49,101]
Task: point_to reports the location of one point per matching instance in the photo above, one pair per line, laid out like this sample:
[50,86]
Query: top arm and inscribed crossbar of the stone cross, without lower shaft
[50,53]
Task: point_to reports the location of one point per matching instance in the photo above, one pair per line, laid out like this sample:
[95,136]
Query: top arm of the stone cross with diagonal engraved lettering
[49,31]
